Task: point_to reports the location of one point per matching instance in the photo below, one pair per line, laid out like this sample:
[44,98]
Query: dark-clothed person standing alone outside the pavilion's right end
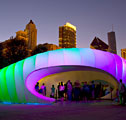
[122,92]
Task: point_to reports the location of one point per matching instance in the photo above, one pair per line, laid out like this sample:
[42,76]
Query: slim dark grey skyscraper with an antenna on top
[112,42]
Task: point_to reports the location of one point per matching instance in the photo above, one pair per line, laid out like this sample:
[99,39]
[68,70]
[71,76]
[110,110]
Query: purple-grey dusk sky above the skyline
[91,17]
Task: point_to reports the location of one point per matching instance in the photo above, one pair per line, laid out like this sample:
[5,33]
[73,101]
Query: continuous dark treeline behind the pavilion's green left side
[14,50]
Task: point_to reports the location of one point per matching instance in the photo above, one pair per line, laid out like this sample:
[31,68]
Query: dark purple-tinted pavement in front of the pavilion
[95,110]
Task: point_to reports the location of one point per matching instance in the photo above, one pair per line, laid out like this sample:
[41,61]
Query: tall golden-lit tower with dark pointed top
[32,34]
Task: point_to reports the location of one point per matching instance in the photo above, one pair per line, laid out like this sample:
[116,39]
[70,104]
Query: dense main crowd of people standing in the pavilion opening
[78,91]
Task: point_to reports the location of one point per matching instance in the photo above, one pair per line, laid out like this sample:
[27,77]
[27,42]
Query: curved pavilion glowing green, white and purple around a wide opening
[18,80]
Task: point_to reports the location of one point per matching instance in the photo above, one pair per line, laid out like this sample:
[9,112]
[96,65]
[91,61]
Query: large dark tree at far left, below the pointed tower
[14,50]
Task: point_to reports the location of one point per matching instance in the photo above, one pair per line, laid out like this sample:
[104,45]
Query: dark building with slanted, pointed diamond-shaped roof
[99,44]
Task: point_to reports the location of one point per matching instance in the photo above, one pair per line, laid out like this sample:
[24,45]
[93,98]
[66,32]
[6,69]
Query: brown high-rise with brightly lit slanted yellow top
[67,36]
